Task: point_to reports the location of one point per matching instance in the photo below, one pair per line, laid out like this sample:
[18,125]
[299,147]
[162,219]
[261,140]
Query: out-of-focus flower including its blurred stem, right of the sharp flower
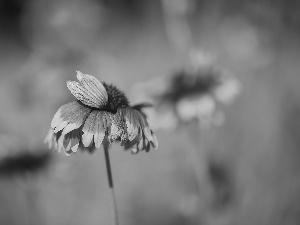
[189,99]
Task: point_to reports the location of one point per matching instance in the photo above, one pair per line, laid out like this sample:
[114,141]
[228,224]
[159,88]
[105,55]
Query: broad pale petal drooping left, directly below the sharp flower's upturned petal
[69,117]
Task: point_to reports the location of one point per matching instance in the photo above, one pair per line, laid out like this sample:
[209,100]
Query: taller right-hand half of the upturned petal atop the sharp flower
[96,88]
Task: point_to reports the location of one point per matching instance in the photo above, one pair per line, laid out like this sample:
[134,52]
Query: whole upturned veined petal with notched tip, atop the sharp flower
[89,91]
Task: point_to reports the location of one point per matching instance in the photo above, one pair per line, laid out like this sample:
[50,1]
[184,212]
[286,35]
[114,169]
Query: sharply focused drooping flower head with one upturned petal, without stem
[100,115]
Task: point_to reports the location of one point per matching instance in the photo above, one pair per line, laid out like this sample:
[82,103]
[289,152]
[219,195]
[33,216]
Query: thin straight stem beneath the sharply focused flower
[113,201]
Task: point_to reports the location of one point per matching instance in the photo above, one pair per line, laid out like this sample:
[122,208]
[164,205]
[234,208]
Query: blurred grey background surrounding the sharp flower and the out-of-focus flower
[253,159]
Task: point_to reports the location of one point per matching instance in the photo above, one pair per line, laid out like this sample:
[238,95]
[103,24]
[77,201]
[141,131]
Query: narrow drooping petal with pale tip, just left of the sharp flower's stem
[89,129]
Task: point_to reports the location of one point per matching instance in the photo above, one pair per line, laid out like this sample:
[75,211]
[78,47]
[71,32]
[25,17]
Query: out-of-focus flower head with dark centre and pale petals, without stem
[191,93]
